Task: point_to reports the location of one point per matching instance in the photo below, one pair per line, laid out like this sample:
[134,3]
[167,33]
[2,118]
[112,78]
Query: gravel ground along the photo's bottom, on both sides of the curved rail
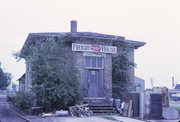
[6,115]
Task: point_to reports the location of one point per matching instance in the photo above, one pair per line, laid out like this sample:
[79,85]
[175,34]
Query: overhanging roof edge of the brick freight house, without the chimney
[86,35]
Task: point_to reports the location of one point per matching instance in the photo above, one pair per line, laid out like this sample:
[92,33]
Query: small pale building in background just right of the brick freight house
[139,84]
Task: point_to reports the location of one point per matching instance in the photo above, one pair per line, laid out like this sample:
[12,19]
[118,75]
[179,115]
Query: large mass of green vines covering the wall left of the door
[54,79]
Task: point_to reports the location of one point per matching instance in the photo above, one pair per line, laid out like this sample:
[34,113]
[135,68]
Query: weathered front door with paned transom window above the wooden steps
[94,80]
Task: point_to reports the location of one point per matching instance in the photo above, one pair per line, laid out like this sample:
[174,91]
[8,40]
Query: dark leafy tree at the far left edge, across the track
[5,79]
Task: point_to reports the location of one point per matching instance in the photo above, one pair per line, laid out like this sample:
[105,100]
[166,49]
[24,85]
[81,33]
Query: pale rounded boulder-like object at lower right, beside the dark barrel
[170,113]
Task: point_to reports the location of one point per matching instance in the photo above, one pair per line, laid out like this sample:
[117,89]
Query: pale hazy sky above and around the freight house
[156,22]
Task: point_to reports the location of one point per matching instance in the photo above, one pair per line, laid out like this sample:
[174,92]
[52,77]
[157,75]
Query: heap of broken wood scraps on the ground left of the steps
[80,110]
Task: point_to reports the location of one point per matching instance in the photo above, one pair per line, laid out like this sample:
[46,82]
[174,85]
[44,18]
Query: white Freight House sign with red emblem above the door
[94,48]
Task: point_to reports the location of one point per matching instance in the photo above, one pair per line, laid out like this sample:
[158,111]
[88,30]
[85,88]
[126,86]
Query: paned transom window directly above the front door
[94,62]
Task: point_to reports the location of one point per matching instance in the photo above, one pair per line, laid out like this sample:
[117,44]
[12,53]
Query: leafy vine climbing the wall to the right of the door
[120,73]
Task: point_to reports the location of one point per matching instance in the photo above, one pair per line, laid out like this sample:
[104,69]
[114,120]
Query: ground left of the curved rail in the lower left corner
[6,115]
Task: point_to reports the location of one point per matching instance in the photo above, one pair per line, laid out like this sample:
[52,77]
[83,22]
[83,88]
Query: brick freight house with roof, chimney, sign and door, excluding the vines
[92,55]
